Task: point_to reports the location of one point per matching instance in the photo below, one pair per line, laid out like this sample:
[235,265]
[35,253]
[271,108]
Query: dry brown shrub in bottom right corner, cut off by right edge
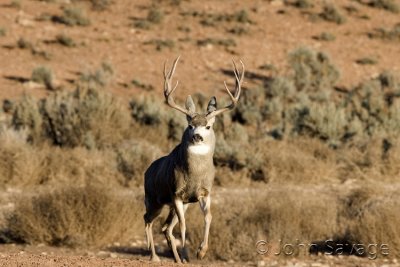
[367,213]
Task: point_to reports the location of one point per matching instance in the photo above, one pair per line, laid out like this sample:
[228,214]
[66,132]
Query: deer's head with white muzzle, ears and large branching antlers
[200,125]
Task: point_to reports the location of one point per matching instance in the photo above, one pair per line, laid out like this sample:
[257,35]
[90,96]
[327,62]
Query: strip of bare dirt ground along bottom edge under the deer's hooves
[44,256]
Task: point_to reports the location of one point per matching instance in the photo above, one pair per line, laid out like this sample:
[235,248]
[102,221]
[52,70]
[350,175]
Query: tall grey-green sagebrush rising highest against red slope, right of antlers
[313,71]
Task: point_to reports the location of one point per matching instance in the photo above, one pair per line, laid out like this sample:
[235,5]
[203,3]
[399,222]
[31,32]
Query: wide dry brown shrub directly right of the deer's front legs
[290,214]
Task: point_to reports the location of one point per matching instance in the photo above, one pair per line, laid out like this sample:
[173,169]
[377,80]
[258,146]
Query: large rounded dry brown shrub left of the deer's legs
[75,216]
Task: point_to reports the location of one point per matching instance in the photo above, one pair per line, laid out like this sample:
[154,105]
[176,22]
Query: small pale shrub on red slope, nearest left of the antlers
[100,77]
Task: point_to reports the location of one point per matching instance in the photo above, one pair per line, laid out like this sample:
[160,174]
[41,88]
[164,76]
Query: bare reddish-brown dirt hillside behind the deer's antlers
[274,31]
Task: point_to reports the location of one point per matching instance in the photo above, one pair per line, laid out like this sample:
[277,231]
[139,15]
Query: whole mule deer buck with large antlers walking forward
[185,175]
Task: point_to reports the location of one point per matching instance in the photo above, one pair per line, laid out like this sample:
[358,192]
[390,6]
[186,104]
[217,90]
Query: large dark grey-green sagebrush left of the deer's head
[85,117]
